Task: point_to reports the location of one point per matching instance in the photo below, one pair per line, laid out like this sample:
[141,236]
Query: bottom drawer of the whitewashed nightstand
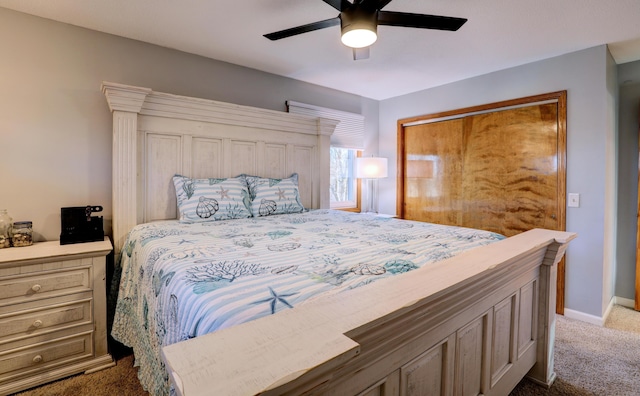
[46,355]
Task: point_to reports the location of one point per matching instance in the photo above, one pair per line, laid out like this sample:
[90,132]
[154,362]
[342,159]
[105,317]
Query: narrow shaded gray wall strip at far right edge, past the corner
[629,79]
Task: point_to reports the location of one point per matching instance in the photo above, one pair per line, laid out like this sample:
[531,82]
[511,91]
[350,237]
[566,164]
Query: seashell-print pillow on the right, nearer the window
[273,196]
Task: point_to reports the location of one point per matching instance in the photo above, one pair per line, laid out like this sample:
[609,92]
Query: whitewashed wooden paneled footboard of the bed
[474,324]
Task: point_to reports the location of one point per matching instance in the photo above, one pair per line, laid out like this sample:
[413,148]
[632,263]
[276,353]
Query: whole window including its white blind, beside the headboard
[347,142]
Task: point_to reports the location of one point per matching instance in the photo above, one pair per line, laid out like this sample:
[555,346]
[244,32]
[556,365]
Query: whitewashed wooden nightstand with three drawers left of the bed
[53,314]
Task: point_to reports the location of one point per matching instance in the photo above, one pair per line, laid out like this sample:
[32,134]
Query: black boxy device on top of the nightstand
[79,226]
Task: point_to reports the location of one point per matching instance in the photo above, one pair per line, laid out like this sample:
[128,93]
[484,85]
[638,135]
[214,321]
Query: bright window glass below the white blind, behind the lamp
[345,188]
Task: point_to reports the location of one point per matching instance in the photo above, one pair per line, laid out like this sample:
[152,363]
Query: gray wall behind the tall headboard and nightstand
[55,125]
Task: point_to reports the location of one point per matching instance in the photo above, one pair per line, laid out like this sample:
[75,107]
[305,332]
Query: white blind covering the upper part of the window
[348,134]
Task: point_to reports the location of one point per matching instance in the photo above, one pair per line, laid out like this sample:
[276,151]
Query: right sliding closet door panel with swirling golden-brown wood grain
[511,174]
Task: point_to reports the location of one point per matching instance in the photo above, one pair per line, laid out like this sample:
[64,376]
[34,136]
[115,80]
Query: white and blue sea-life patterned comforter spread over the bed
[179,281]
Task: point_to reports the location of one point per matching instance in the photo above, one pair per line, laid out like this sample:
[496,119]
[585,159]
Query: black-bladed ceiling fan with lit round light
[359,23]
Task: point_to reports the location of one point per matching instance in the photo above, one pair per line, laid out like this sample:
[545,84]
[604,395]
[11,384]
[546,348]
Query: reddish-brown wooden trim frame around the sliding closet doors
[559,97]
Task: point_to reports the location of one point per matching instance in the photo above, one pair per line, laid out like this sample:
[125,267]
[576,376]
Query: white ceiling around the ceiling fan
[499,34]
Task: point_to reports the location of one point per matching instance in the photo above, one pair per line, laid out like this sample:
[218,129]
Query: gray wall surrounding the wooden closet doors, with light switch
[584,75]
